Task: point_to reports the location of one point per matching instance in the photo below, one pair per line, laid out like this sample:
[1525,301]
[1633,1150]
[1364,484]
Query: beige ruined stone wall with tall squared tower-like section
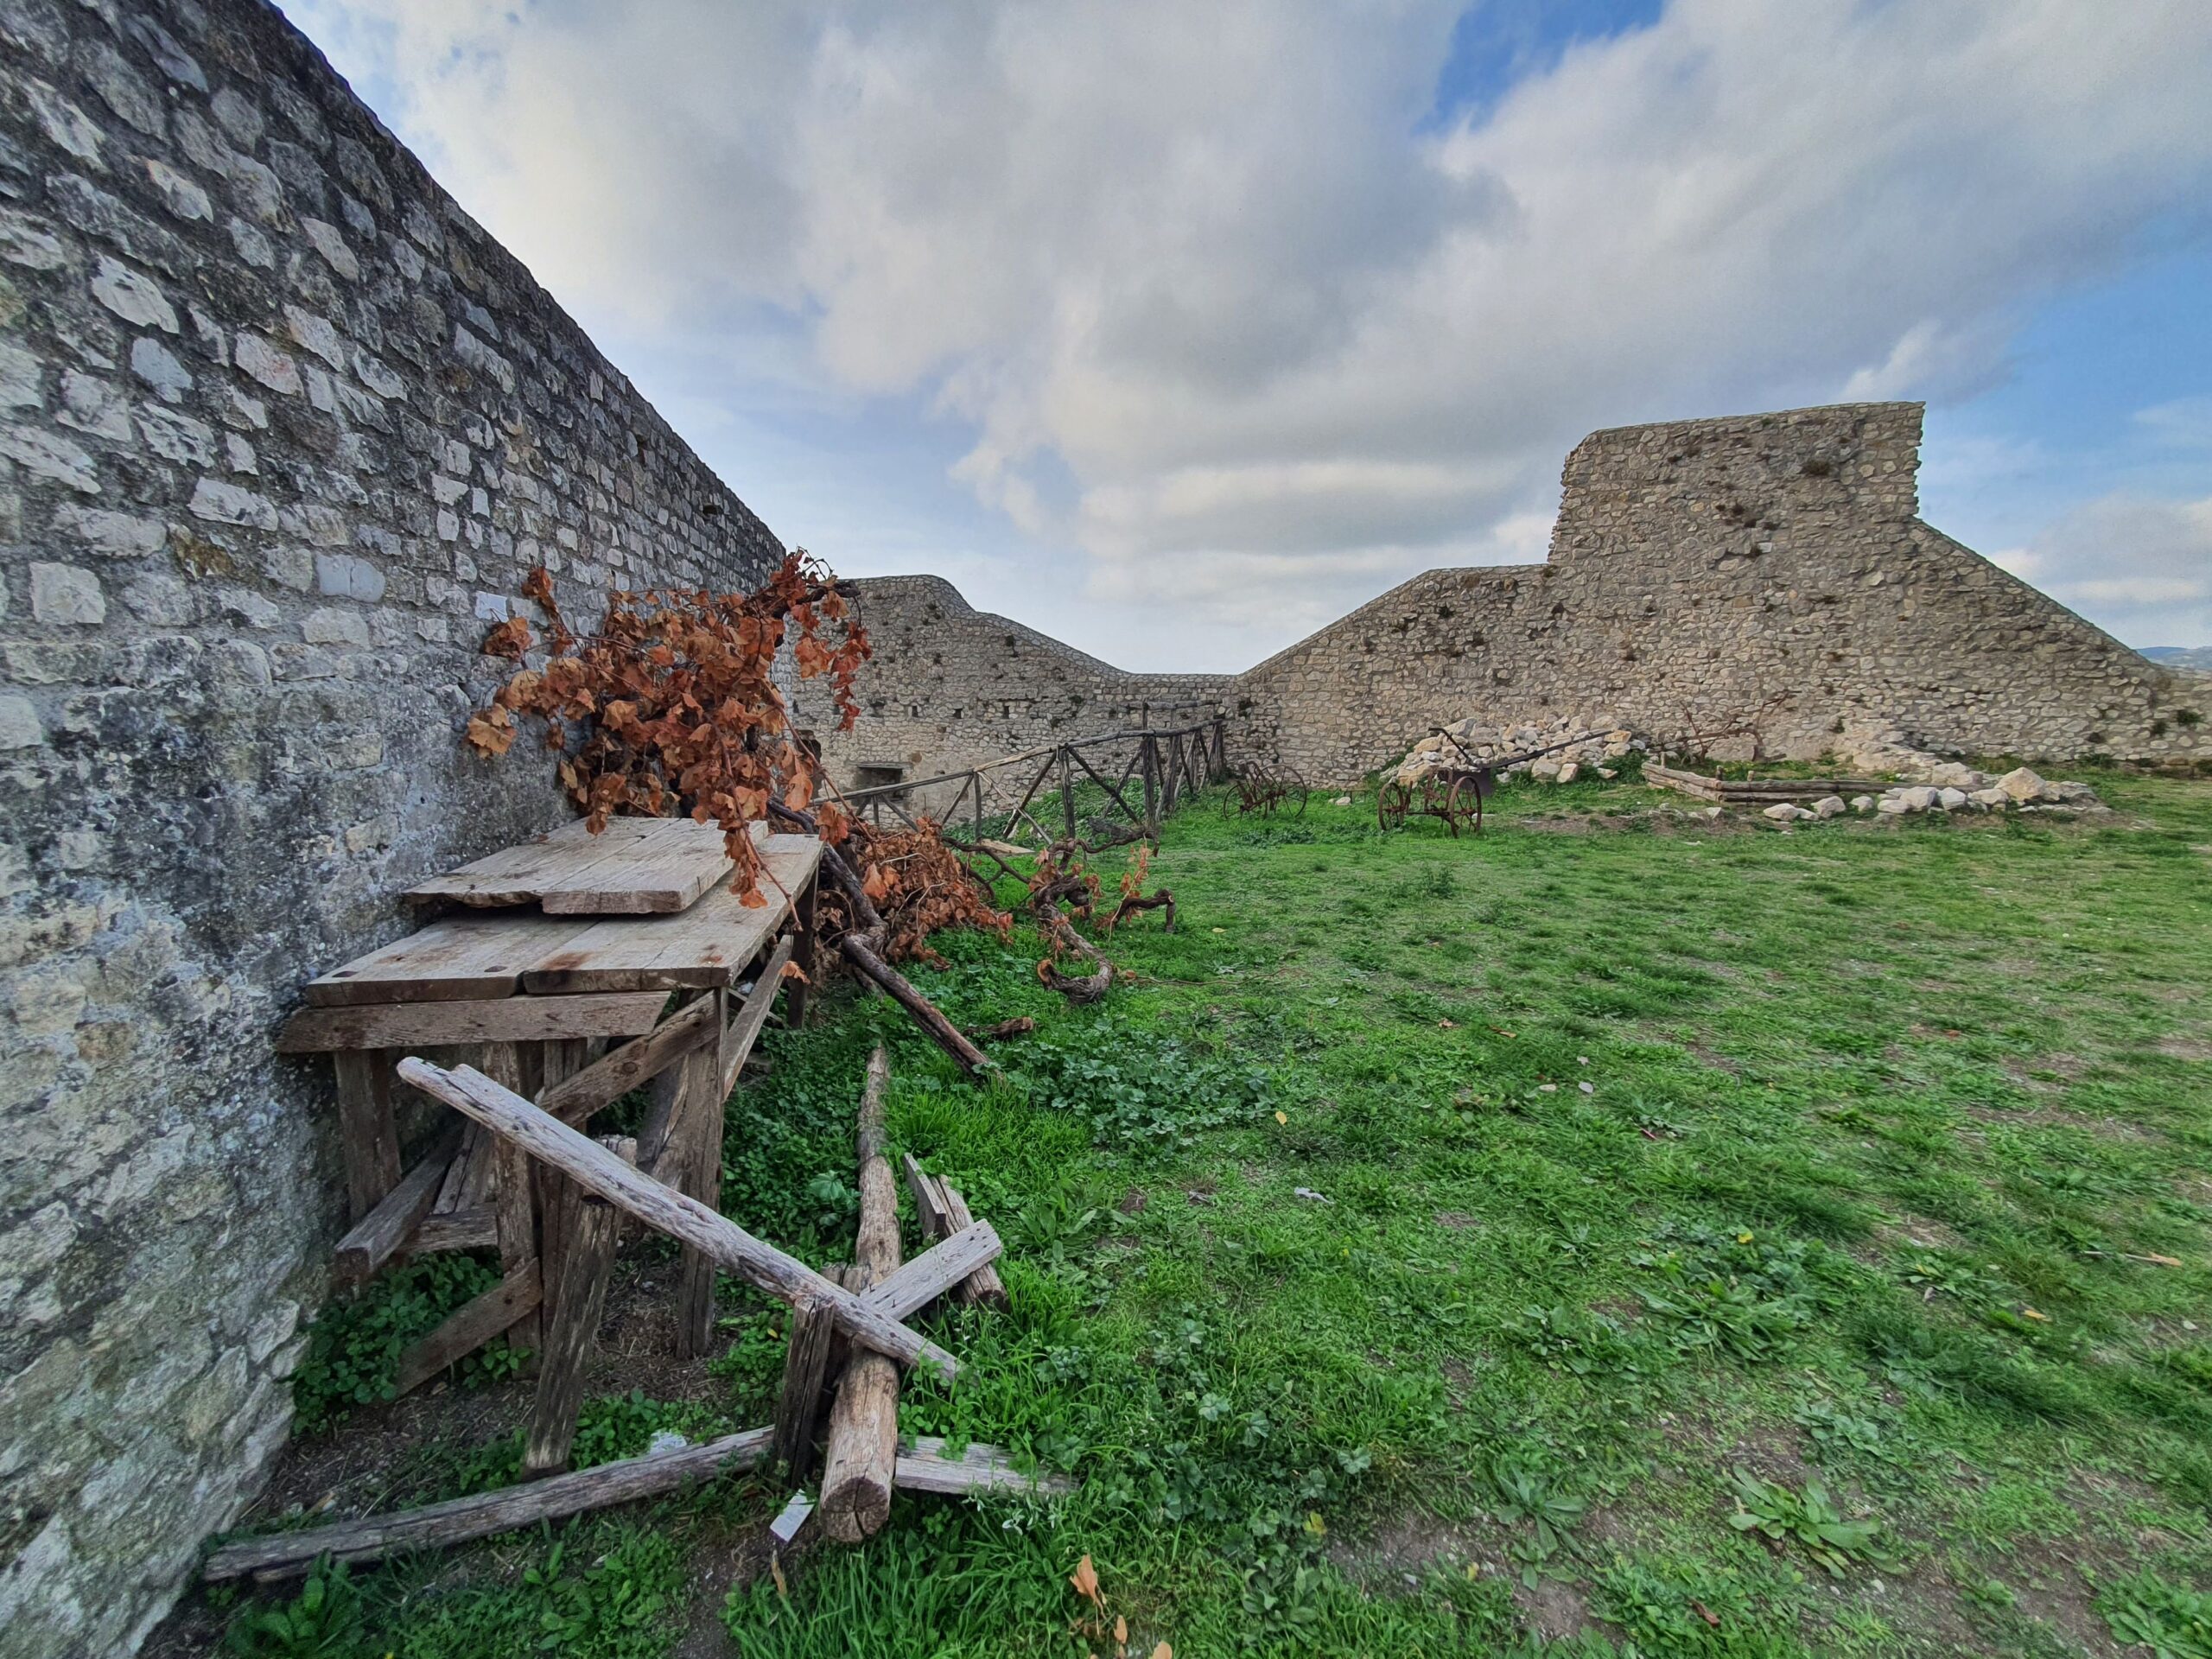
[1749,581]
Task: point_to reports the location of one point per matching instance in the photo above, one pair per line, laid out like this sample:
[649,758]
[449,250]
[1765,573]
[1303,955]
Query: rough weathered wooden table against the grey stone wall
[534,1001]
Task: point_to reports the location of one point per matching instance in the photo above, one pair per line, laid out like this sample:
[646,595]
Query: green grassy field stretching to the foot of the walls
[1614,1233]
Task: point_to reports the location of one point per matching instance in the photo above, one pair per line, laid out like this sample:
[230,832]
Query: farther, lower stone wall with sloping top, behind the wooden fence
[954,687]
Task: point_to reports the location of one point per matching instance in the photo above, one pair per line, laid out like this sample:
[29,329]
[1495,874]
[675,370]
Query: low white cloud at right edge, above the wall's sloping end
[2138,567]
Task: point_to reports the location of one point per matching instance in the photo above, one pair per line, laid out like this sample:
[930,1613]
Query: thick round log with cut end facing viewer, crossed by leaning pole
[864,1423]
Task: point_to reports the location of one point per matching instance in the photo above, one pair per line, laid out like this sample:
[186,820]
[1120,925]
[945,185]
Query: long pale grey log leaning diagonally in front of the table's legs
[658,1207]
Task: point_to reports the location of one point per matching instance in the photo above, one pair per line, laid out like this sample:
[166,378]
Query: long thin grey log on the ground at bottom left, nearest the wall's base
[486,1514]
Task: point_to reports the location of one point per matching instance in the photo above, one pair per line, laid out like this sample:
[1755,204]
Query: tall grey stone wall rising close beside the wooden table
[280,432]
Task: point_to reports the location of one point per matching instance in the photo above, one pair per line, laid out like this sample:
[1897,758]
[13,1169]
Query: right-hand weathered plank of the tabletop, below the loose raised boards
[705,948]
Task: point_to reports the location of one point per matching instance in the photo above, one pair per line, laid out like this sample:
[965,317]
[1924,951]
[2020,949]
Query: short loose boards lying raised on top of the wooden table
[632,868]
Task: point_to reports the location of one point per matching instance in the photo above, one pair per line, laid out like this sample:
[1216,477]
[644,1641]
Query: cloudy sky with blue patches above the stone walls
[1178,331]
